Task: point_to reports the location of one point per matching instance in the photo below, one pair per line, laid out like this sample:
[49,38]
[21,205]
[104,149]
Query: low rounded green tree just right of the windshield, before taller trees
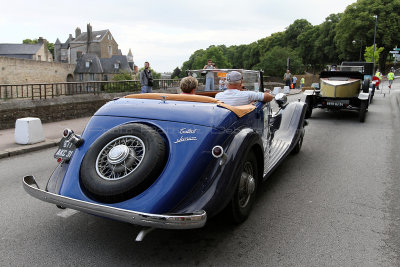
[274,61]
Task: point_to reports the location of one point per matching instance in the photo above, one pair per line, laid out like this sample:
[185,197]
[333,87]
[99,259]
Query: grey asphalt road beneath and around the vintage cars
[336,203]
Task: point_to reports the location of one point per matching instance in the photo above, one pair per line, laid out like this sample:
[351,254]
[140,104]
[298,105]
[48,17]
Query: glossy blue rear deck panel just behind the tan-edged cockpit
[206,114]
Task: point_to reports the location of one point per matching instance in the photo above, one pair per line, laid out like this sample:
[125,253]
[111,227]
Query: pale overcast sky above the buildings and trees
[165,33]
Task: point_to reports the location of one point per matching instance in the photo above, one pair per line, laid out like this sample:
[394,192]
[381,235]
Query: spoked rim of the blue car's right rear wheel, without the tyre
[246,184]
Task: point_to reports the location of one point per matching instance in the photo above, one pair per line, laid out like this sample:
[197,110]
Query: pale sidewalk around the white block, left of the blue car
[52,132]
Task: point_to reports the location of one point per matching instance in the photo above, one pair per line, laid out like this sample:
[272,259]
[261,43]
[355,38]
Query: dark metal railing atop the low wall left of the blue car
[51,90]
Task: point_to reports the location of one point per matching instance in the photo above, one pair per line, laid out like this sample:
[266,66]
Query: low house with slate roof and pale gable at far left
[38,51]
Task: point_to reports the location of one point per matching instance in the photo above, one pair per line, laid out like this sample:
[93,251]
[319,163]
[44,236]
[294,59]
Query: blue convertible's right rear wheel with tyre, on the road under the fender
[245,192]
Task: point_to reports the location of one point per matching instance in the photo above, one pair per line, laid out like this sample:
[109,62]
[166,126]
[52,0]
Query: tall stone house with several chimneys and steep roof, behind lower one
[100,43]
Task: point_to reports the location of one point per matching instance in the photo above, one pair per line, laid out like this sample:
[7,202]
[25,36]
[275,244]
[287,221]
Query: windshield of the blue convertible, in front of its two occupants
[215,79]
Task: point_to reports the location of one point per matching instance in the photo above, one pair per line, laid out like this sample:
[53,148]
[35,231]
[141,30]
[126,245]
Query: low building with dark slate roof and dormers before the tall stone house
[92,68]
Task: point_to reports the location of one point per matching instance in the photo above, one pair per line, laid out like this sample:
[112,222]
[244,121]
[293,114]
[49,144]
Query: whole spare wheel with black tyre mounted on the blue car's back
[123,162]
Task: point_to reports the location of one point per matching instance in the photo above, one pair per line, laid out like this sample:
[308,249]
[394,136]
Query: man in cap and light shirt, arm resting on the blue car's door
[234,94]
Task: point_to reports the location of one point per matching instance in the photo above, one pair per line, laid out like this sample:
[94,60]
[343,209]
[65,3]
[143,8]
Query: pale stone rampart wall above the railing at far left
[21,71]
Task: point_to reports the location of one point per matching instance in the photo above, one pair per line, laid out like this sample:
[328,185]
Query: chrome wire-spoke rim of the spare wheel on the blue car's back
[120,157]
